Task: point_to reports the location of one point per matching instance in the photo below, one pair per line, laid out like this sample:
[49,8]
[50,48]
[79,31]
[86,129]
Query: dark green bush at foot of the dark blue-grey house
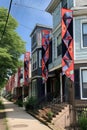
[31,103]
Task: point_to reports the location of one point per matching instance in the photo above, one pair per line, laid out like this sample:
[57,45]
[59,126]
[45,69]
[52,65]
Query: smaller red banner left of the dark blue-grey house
[26,68]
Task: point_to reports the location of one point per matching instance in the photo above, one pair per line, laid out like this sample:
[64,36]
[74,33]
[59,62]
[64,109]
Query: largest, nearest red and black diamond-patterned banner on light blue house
[67,44]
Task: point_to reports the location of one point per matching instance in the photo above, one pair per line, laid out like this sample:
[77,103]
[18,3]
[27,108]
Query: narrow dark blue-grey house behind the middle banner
[38,87]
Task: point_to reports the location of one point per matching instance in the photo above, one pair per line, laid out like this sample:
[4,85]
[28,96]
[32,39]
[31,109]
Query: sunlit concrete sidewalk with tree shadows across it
[18,119]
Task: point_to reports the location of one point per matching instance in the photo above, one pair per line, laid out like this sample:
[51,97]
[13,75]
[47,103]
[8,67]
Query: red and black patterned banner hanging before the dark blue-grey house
[45,54]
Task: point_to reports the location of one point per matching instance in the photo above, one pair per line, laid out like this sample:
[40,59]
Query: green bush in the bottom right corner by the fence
[83,123]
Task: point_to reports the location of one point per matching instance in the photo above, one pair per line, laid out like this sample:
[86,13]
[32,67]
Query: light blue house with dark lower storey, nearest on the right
[67,90]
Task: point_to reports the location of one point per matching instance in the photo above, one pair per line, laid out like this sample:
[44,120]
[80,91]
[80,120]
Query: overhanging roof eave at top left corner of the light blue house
[52,5]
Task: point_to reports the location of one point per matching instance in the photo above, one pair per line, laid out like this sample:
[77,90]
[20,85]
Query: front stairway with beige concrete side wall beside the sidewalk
[54,115]
